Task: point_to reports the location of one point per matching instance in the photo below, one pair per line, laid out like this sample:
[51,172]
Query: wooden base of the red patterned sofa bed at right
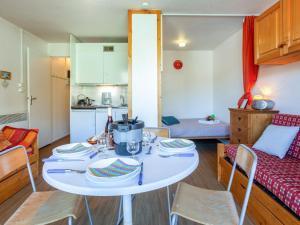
[262,208]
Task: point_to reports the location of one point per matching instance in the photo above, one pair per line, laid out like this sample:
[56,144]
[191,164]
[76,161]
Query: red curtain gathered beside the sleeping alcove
[250,70]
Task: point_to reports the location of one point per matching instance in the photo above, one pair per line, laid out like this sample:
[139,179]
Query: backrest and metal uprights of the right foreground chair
[246,159]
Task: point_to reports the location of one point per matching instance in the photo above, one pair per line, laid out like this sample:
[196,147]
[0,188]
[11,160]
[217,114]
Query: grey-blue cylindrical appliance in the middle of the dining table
[127,131]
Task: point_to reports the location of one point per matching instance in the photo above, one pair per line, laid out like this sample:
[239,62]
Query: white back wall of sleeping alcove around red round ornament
[188,93]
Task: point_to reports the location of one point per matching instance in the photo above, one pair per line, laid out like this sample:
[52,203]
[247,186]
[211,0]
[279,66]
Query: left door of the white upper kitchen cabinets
[89,63]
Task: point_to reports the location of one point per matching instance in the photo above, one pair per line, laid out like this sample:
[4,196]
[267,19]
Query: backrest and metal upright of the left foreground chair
[13,159]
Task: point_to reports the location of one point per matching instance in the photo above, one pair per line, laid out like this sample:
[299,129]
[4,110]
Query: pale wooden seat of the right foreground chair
[204,206]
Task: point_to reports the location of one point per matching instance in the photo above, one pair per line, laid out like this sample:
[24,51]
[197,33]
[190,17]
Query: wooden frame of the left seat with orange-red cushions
[14,182]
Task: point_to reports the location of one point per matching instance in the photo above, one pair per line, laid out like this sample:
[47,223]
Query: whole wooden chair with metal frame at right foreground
[215,207]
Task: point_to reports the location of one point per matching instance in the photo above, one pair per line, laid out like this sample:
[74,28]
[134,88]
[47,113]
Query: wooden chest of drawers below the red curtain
[246,125]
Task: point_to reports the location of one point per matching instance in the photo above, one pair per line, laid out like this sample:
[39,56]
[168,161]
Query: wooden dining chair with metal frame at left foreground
[40,207]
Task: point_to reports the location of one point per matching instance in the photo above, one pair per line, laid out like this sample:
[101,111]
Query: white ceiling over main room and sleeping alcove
[54,20]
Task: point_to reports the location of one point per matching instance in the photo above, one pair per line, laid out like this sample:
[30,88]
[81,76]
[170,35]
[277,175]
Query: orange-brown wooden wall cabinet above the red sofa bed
[277,34]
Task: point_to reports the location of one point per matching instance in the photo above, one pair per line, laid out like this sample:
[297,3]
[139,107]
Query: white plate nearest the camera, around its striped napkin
[102,163]
